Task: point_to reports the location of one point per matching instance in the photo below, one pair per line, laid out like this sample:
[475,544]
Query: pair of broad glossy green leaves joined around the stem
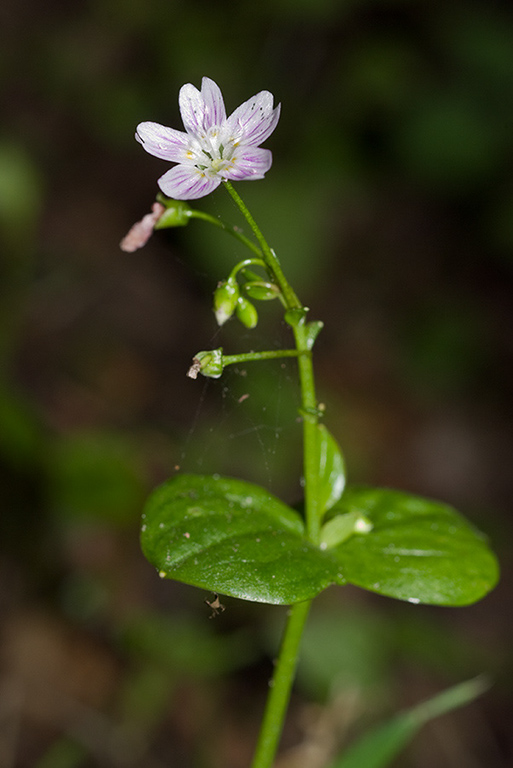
[235,538]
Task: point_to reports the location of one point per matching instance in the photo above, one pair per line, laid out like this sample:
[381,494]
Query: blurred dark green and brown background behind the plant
[390,203]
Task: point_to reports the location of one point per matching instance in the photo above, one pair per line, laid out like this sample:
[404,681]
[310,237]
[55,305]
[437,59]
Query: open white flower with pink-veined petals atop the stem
[213,147]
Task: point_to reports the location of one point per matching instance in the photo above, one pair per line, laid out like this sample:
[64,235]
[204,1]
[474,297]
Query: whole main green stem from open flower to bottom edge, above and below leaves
[283,678]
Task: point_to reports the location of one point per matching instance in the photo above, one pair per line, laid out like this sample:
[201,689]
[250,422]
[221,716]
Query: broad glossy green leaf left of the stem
[235,538]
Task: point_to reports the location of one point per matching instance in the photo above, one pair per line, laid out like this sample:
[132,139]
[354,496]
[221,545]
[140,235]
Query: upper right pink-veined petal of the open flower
[254,121]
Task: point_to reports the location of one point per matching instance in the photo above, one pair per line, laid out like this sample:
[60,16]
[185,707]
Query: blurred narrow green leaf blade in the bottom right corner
[383,744]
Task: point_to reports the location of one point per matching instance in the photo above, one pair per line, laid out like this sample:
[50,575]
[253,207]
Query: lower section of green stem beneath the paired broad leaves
[281,685]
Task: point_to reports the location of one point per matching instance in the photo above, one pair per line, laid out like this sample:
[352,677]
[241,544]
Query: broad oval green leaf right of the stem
[418,550]
